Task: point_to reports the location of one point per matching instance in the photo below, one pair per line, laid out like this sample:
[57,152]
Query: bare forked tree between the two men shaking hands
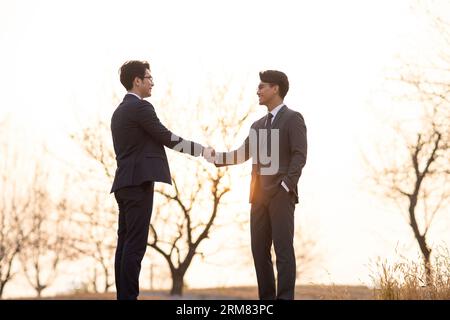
[196,199]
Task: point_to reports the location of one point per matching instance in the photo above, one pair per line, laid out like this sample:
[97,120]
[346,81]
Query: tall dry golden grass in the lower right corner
[405,280]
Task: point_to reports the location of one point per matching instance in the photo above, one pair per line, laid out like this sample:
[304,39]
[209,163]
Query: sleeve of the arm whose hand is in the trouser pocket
[298,150]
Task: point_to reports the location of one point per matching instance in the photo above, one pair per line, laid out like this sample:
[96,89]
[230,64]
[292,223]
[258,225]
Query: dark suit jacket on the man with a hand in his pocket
[292,155]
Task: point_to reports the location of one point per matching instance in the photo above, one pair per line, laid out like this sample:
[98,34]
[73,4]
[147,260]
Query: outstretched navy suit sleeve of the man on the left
[149,121]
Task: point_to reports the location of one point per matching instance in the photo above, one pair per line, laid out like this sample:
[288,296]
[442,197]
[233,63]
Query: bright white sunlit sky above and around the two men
[59,62]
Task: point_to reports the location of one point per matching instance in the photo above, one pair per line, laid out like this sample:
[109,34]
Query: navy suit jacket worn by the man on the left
[139,139]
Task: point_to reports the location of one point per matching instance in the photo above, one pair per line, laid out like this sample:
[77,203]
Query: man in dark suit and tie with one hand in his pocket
[277,144]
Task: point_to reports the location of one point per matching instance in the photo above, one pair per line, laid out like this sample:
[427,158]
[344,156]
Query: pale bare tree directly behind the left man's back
[97,218]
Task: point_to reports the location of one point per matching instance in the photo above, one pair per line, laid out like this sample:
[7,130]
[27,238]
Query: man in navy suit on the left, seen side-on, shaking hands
[139,139]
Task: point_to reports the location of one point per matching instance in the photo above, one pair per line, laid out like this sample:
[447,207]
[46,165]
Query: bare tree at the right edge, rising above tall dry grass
[417,175]
